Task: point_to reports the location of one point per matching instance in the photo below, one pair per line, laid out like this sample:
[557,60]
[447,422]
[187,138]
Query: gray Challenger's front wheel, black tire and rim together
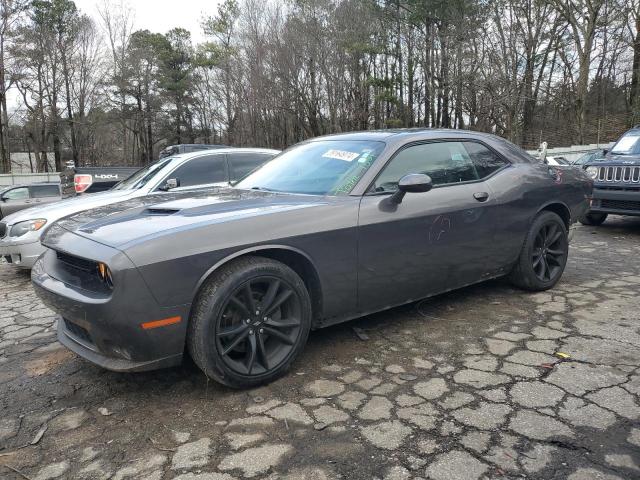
[236,342]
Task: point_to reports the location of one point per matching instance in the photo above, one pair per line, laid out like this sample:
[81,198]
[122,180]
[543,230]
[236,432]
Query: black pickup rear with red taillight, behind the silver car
[77,180]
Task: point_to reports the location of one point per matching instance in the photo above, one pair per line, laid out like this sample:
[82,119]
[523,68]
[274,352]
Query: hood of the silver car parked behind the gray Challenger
[56,210]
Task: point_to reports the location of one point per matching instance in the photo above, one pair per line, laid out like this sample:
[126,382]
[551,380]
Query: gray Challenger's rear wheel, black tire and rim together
[544,254]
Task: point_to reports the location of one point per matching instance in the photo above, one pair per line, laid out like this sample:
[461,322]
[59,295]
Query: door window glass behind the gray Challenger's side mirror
[445,162]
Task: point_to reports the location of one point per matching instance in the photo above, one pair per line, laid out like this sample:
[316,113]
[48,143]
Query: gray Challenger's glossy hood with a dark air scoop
[140,218]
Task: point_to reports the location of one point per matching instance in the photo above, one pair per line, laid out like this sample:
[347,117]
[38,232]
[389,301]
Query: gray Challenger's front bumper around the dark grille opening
[106,329]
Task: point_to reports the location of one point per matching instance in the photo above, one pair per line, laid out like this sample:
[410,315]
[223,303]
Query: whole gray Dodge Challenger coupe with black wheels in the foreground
[333,228]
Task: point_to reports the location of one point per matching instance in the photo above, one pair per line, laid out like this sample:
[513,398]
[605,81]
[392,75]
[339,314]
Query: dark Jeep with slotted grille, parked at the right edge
[616,177]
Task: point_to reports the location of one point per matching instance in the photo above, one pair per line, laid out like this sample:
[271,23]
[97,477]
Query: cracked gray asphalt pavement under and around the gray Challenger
[485,382]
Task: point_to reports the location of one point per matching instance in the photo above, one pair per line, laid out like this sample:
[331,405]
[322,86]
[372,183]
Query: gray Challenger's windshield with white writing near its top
[324,167]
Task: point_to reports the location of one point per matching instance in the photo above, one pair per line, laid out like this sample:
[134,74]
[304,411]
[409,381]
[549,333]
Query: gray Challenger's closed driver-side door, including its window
[430,242]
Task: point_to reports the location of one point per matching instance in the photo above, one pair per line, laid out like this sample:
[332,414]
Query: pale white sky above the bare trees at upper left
[161,15]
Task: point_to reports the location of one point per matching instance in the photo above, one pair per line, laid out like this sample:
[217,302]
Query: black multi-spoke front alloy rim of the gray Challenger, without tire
[259,326]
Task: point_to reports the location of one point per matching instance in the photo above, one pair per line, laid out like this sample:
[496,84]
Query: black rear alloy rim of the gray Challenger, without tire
[549,254]
